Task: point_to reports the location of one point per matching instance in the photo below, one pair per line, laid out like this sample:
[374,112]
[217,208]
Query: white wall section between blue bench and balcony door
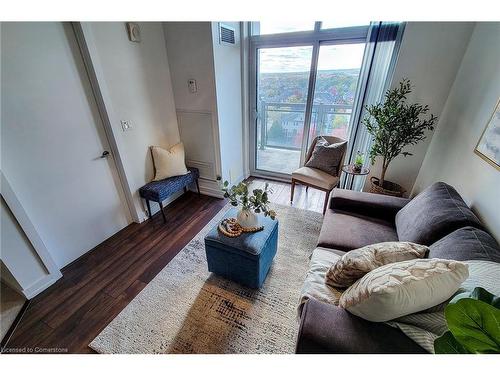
[210,120]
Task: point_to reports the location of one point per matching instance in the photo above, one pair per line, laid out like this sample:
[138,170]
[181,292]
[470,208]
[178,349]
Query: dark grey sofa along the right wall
[438,217]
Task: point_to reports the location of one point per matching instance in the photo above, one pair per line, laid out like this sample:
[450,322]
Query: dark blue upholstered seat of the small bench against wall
[158,191]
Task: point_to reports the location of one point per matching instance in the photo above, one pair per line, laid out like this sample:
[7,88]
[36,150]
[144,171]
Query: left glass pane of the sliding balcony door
[282,89]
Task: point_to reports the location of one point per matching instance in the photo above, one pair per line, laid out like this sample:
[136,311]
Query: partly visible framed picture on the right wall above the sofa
[488,146]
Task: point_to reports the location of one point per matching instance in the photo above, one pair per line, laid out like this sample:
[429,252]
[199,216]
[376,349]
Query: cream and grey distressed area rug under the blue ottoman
[186,309]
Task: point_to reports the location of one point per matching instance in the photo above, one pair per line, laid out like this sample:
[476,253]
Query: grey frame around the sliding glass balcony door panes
[315,38]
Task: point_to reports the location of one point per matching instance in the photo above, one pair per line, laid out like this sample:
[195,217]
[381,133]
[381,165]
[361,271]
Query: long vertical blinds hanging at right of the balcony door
[382,50]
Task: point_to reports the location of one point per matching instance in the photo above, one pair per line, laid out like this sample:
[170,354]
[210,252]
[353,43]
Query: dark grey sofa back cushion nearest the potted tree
[432,214]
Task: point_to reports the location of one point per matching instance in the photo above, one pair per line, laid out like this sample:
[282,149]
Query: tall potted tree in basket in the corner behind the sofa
[394,125]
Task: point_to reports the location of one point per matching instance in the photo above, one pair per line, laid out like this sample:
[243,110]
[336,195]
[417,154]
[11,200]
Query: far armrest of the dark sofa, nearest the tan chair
[368,204]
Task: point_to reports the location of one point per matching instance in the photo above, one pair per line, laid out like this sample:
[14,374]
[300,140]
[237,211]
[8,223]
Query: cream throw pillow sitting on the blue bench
[169,163]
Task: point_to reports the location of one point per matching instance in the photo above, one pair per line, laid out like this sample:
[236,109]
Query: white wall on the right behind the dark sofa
[471,102]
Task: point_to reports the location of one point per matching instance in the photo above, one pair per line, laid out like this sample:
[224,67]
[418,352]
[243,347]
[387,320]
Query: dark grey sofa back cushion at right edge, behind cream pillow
[467,243]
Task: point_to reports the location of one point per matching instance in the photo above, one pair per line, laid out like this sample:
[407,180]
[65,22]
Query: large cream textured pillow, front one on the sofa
[403,288]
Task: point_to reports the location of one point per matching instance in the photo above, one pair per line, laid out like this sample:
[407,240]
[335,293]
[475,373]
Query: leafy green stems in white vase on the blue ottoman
[256,203]
